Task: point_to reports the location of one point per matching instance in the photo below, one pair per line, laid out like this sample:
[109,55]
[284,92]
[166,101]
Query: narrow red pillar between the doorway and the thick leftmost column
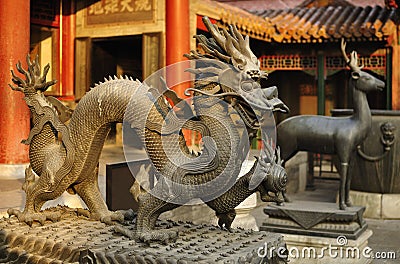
[68,50]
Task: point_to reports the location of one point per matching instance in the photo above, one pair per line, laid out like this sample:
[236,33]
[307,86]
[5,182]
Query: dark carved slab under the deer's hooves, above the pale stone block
[315,219]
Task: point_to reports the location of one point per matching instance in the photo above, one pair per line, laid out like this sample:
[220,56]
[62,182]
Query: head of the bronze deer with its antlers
[360,80]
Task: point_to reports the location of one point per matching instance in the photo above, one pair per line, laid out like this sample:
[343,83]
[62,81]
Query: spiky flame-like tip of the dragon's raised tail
[33,81]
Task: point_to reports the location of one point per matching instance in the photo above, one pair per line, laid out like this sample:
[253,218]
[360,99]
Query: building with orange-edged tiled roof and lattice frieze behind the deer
[301,49]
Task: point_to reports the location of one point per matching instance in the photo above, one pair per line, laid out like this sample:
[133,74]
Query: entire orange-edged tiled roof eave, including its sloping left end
[307,25]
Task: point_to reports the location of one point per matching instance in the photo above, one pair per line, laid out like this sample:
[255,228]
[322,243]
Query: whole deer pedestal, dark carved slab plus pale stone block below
[317,232]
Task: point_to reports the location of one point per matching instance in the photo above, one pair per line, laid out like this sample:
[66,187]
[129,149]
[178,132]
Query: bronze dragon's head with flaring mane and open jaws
[229,62]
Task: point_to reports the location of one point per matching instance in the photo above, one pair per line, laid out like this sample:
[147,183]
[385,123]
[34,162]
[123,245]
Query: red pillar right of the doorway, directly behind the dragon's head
[177,39]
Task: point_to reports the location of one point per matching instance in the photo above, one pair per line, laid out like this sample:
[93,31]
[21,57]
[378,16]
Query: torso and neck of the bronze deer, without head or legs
[324,134]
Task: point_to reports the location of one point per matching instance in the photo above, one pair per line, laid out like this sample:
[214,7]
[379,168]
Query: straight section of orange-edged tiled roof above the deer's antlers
[329,24]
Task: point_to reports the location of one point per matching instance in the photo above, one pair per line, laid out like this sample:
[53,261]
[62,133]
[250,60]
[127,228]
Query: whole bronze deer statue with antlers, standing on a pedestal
[333,135]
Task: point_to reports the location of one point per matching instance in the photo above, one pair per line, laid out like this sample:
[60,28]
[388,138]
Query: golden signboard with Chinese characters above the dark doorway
[120,11]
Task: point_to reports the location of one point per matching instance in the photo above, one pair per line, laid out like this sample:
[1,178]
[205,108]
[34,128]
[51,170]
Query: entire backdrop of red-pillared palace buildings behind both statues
[297,42]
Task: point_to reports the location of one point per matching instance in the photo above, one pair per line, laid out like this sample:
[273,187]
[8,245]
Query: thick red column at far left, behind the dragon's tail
[14,46]
